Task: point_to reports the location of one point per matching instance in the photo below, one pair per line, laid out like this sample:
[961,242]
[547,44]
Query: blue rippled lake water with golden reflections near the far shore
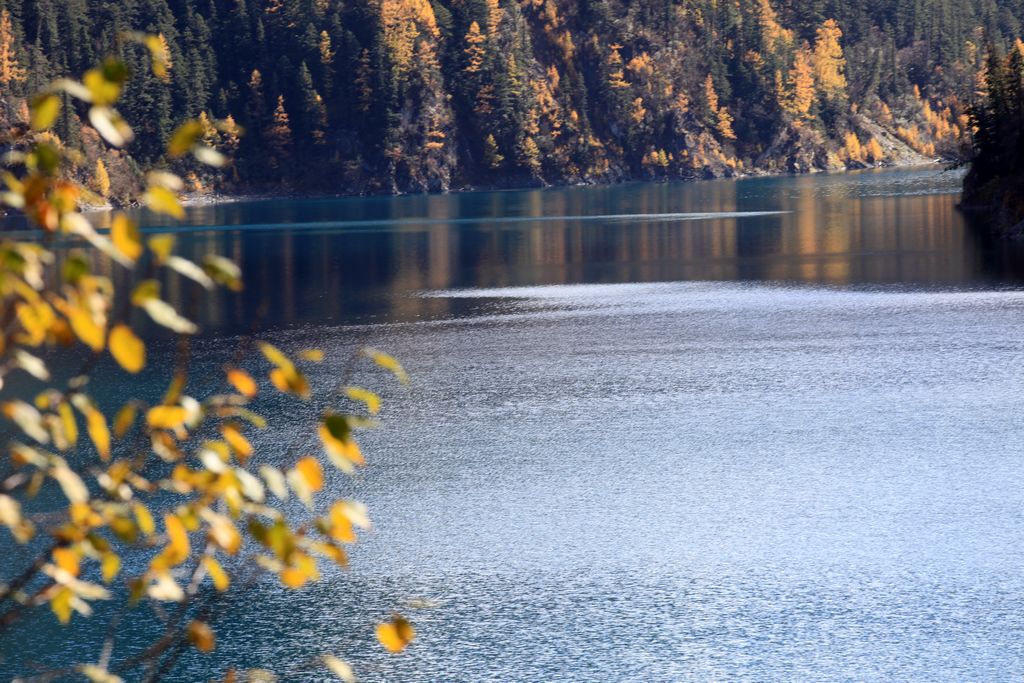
[757,431]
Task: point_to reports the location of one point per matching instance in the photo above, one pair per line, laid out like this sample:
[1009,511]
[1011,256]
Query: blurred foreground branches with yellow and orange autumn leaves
[160,503]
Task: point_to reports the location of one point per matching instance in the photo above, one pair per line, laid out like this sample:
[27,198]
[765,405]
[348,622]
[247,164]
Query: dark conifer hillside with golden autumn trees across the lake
[393,96]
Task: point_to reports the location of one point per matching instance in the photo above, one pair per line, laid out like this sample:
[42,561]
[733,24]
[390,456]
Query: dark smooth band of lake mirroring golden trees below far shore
[359,260]
